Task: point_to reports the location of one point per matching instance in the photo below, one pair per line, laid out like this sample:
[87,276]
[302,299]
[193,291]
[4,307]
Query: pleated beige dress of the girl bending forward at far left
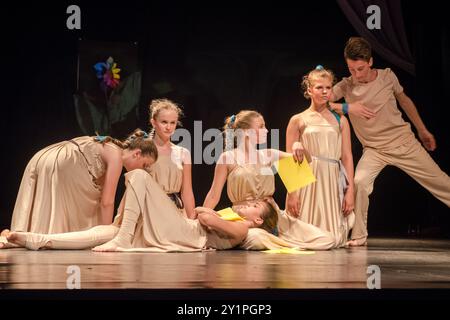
[61,188]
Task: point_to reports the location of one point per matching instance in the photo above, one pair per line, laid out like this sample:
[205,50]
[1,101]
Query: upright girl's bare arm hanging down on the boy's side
[347,161]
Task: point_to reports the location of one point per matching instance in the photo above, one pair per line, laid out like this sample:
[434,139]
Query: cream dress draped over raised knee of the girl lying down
[161,227]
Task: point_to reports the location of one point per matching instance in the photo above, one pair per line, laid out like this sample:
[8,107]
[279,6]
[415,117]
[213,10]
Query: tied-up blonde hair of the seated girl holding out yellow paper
[242,120]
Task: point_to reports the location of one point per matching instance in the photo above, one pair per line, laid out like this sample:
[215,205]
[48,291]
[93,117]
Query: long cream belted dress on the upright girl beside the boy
[320,202]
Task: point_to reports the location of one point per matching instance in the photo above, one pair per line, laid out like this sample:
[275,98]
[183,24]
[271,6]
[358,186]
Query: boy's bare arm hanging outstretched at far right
[411,111]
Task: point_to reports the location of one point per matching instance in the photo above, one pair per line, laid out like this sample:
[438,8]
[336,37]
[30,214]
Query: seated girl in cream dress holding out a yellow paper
[249,177]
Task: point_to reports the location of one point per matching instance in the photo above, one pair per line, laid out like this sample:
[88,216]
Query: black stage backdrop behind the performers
[215,58]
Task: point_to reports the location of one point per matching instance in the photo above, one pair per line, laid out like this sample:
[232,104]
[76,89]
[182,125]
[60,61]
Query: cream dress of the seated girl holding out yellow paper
[248,182]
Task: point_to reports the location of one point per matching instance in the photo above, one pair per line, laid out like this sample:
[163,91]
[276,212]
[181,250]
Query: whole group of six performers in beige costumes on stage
[66,197]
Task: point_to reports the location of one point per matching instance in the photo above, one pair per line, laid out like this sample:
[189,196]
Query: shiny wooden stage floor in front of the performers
[404,263]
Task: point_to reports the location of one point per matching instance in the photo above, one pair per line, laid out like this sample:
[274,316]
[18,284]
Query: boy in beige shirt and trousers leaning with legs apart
[386,138]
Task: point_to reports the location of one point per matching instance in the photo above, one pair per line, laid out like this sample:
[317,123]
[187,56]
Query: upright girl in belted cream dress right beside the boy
[325,136]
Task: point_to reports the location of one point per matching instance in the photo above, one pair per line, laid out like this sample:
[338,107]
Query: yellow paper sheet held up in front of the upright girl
[294,175]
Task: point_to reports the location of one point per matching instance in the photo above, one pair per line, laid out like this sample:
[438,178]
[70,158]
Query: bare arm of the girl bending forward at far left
[113,159]
